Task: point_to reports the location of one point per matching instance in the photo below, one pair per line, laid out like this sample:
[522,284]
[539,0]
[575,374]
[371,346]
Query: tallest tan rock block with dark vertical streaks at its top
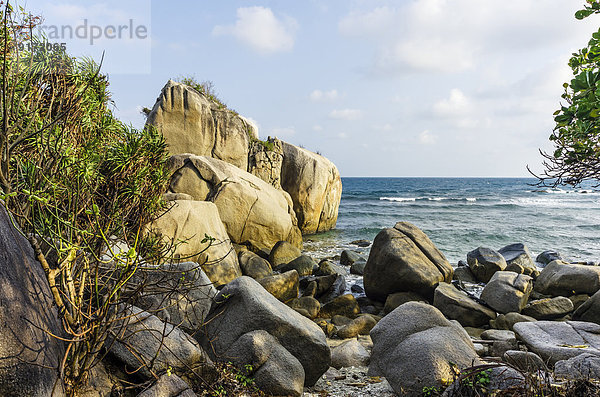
[191,123]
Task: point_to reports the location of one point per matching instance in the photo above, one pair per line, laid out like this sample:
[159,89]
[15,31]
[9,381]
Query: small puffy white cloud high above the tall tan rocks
[261,30]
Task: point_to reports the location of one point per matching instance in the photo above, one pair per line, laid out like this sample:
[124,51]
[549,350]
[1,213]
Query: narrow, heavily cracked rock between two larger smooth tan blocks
[265,159]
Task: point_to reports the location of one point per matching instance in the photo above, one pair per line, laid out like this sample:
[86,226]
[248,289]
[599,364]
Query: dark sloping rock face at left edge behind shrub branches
[29,356]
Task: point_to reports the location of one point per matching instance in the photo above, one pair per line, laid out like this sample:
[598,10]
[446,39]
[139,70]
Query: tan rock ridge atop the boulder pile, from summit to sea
[192,123]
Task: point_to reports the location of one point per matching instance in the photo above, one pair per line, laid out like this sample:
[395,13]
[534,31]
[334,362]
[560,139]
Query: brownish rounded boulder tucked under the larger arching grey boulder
[275,370]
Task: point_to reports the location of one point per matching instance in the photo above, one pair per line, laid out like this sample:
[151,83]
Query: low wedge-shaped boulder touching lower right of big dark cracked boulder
[457,305]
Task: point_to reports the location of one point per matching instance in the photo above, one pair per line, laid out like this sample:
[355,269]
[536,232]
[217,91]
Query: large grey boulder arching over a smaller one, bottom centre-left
[244,305]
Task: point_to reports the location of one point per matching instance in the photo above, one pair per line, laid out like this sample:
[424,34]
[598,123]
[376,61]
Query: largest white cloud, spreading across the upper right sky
[454,36]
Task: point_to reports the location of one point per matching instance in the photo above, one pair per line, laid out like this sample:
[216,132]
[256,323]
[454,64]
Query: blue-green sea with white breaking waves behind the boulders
[461,214]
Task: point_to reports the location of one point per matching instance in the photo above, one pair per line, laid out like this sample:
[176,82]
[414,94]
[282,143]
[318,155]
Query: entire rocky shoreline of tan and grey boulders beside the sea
[239,291]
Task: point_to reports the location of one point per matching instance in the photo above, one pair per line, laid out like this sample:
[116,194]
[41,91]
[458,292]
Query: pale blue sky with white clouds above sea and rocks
[381,88]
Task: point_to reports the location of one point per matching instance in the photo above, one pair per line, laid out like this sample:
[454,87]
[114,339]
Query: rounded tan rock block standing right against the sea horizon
[315,186]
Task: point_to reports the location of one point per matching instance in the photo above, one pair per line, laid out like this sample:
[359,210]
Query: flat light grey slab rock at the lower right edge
[555,340]
